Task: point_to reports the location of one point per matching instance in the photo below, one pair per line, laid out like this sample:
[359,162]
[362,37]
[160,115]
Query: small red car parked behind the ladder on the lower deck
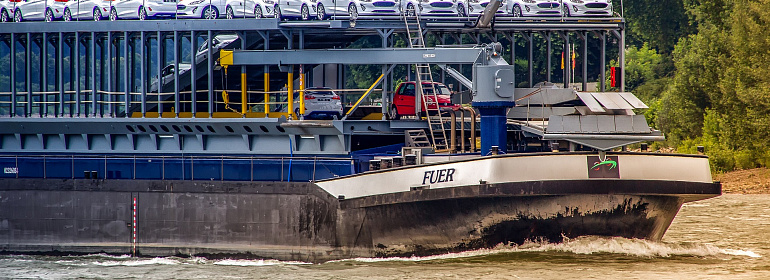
[403,99]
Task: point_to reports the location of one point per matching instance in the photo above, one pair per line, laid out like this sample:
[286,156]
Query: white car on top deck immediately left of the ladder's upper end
[353,8]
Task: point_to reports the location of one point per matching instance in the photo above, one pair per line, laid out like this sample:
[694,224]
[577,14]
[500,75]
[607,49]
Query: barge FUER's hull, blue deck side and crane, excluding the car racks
[317,190]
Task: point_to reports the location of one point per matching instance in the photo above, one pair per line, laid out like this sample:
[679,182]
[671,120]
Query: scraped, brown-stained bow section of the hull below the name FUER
[444,226]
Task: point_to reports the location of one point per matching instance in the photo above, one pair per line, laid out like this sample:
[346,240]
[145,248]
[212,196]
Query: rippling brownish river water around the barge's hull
[727,237]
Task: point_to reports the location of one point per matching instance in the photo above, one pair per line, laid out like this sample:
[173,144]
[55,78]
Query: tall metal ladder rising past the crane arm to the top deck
[423,74]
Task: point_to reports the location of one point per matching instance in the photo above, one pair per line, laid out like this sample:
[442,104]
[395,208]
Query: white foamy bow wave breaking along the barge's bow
[587,246]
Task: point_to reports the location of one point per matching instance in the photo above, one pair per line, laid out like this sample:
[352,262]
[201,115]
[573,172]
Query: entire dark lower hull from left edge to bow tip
[299,221]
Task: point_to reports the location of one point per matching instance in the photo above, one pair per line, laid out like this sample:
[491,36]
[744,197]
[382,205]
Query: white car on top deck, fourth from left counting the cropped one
[141,9]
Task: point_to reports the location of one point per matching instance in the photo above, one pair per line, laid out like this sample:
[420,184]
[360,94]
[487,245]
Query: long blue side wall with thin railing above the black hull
[207,168]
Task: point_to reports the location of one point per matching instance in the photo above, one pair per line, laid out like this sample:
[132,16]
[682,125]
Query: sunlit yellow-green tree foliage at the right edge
[719,96]
